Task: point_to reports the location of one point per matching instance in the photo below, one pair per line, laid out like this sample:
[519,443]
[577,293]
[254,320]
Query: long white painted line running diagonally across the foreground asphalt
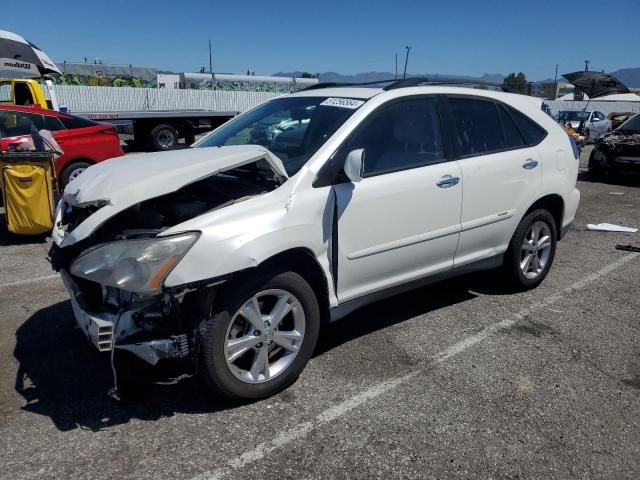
[339,410]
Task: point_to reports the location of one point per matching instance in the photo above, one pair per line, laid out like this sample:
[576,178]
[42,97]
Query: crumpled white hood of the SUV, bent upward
[124,181]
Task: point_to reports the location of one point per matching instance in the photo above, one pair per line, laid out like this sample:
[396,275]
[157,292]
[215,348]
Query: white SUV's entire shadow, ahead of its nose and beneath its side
[62,376]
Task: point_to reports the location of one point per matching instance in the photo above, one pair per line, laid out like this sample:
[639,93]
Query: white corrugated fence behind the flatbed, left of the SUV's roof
[111,99]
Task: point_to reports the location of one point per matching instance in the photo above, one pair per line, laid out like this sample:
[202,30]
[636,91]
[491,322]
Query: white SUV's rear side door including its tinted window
[501,173]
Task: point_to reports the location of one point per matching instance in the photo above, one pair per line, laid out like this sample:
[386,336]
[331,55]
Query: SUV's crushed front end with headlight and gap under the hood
[115,276]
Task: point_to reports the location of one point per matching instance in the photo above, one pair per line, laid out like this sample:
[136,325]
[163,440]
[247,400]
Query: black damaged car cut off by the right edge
[617,151]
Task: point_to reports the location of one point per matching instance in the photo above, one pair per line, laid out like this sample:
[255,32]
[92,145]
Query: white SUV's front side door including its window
[402,220]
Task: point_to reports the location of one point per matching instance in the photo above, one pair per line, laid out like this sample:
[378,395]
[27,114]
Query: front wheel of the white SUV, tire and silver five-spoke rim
[233,379]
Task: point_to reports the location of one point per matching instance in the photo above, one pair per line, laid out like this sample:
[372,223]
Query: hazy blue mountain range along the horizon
[629,76]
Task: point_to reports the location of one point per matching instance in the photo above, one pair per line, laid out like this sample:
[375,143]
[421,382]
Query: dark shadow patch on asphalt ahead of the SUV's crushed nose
[62,376]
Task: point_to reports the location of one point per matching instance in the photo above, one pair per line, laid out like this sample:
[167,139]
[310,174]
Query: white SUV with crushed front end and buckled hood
[223,260]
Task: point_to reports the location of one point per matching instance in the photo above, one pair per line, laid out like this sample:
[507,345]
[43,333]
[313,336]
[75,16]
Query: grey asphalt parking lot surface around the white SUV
[456,380]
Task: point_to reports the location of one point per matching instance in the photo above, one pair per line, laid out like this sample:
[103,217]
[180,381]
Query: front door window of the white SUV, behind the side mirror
[401,136]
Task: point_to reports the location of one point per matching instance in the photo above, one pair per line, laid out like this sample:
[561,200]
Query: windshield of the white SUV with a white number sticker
[293,128]
